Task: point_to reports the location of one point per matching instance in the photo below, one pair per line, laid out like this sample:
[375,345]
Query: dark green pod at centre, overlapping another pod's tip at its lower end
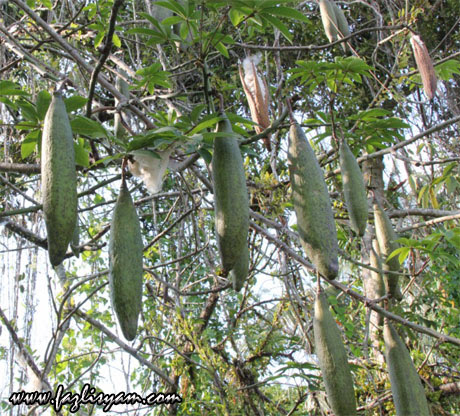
[230,195]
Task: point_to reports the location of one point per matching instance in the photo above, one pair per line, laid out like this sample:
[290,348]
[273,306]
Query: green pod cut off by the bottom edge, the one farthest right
[408,394]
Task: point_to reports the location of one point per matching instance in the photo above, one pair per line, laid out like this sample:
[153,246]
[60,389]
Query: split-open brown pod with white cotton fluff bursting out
[256,90]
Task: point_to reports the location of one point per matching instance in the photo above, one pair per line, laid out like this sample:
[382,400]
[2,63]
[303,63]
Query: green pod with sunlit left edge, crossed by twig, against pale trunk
[386,238]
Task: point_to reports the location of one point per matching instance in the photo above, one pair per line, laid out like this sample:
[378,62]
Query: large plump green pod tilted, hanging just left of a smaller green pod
[312,205]
